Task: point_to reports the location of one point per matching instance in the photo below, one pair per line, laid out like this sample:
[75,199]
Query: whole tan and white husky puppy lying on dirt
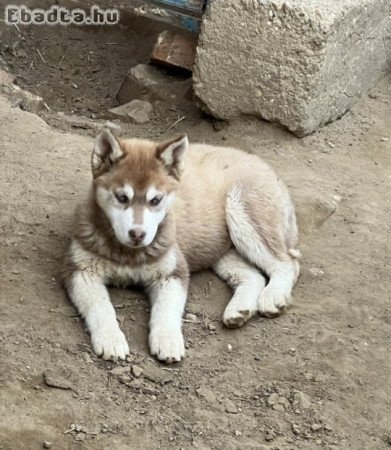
[159,210]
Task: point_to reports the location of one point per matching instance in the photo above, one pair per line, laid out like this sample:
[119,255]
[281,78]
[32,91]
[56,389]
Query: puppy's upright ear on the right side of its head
[172,154]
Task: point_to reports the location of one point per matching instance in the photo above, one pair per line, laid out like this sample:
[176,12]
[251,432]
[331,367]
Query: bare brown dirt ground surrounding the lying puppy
[317,377]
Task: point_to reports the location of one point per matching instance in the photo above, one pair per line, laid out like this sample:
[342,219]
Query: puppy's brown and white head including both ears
[135,183]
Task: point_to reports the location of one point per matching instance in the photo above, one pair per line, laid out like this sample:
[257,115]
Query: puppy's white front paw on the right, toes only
[167,345]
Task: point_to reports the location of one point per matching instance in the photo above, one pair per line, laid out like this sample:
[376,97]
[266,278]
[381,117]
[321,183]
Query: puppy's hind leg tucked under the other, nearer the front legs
[247,283]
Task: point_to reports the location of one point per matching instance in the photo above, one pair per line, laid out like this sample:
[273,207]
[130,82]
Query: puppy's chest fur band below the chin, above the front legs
[123,275]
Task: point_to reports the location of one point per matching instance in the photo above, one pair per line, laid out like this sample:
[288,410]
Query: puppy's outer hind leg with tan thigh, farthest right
[256,228]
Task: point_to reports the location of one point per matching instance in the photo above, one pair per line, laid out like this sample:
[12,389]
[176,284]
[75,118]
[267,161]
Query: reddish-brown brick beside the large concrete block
[175,49]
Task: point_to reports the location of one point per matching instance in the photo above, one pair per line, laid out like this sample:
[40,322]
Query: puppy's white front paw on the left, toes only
[110,343]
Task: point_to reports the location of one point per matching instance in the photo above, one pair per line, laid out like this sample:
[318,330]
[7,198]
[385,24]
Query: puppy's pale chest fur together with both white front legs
[90,296]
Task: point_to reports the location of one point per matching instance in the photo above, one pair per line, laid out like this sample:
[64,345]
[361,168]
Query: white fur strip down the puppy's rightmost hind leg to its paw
[283,274]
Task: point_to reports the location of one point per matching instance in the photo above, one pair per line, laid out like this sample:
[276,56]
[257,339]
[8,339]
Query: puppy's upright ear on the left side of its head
[106,151]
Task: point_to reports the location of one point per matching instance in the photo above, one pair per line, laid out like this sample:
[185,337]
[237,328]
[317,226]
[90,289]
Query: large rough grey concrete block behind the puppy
[301,64]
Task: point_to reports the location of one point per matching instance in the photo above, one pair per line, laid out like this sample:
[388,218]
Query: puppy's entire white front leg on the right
[168,298]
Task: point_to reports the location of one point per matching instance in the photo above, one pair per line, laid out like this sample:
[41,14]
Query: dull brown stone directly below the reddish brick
[148,83]
